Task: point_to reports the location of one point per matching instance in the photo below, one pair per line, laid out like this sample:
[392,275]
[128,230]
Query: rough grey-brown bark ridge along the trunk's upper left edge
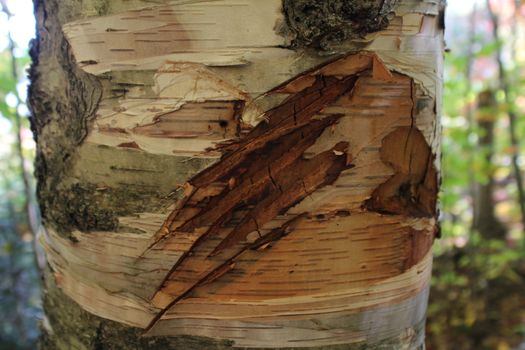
[63,100]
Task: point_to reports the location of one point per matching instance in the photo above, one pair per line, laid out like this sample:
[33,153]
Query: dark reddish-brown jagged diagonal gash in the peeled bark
[246,195]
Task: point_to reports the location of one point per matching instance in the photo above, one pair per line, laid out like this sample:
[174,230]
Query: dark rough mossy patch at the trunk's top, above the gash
[321,24]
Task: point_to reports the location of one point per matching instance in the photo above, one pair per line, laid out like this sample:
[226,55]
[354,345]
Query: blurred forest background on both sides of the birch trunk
[478,289]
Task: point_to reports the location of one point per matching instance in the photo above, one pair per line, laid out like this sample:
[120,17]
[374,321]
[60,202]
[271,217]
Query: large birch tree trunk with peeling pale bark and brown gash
[219,174]
